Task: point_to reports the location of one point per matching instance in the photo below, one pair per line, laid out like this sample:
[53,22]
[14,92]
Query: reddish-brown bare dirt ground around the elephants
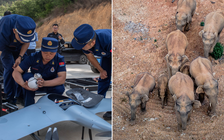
[136,24]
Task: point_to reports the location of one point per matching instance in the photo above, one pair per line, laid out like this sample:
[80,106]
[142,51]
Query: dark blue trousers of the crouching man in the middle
[29,95]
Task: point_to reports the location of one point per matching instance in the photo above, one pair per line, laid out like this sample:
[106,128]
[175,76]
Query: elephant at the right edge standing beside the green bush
[214,23]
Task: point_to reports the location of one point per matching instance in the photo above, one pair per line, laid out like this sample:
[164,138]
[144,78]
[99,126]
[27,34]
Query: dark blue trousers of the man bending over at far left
[8,58]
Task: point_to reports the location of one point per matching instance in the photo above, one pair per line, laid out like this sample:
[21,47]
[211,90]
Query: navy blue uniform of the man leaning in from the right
[102,48]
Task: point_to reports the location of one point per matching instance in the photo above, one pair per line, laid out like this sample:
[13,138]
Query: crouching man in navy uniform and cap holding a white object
[49,64]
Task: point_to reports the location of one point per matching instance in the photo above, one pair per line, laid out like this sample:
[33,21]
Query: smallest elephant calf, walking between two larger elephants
[162,89]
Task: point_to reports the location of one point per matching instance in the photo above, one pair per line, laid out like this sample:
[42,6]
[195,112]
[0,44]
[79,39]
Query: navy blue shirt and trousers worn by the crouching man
[48,72]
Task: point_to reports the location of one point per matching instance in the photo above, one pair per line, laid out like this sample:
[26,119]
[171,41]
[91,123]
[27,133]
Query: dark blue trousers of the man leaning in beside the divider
[104,84]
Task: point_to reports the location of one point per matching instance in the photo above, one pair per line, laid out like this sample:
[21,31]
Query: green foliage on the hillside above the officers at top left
[35,9]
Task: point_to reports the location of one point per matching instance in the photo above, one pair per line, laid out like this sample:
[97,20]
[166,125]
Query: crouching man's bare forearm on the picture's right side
[56,81]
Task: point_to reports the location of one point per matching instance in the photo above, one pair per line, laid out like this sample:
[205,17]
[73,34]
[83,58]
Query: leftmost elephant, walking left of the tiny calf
[143,84]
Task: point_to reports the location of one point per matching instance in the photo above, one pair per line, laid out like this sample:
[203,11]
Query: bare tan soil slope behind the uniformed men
[98,16]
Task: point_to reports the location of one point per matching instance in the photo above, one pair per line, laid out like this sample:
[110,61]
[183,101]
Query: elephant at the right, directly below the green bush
[201,71]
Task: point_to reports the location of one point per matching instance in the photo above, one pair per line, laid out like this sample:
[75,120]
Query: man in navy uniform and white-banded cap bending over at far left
[16,32]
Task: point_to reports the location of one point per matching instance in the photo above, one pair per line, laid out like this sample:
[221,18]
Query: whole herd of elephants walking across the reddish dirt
[185,80]
